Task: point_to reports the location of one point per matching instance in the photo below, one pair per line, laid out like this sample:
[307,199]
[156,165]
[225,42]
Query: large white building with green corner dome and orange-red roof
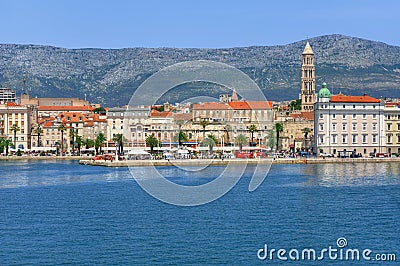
[345,124]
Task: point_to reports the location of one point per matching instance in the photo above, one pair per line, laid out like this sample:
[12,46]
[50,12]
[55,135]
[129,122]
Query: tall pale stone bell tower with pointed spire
[308,96]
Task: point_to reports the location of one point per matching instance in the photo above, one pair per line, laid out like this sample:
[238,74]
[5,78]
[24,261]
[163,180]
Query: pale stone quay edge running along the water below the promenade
[219,162]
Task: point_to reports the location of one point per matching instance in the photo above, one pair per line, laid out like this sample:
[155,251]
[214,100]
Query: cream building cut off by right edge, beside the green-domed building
[392,127]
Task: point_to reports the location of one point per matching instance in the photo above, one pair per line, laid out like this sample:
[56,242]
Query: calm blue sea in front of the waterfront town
[64,213]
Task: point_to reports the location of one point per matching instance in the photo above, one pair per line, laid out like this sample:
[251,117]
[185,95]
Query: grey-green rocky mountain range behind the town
[110,76]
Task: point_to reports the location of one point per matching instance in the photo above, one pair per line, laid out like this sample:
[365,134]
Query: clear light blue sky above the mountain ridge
[198,23]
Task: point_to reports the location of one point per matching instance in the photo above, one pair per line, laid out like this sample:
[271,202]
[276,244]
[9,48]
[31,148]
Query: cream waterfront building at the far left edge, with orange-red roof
[11,114]
